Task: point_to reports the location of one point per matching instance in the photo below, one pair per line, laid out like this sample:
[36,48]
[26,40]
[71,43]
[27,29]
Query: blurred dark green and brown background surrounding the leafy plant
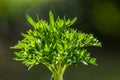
[100,17]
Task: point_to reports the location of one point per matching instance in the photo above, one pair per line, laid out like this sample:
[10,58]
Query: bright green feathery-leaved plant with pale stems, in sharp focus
[55,45]
